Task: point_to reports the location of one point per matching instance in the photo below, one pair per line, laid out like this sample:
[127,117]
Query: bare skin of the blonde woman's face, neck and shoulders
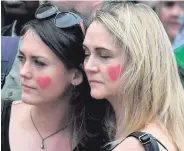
[96,64]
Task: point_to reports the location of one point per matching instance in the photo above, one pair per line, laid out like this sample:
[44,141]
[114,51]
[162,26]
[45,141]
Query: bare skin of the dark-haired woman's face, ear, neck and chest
[40,72]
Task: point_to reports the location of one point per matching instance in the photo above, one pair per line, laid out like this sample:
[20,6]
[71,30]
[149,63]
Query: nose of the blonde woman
[90,65]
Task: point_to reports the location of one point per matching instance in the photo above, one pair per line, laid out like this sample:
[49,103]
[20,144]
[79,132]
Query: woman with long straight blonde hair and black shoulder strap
[129,61]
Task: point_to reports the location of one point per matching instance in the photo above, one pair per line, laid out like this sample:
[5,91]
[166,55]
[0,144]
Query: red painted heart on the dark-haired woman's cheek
[43,81]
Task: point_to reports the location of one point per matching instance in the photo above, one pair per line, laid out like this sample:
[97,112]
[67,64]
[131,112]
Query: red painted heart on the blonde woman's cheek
[114,72]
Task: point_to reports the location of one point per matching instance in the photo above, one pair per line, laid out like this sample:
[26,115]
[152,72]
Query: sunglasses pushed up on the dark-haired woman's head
[62,19]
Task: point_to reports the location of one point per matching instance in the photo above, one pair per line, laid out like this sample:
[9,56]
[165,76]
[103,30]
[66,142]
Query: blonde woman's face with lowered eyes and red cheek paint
[103,62]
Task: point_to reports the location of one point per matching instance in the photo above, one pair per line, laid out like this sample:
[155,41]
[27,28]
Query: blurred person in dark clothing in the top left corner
[17,14]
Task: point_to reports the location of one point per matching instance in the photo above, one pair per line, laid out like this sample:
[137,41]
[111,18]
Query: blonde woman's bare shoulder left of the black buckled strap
[129,144]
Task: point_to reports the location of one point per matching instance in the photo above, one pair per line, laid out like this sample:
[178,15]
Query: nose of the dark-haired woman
[25,71]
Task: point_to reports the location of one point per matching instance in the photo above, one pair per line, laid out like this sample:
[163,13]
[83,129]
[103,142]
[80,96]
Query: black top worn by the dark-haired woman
[92,144]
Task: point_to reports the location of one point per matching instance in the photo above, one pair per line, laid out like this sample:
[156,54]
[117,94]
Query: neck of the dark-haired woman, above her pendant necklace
[49,118]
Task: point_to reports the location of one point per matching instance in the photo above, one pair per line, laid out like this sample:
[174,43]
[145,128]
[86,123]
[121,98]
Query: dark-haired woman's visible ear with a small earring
[77,77]
